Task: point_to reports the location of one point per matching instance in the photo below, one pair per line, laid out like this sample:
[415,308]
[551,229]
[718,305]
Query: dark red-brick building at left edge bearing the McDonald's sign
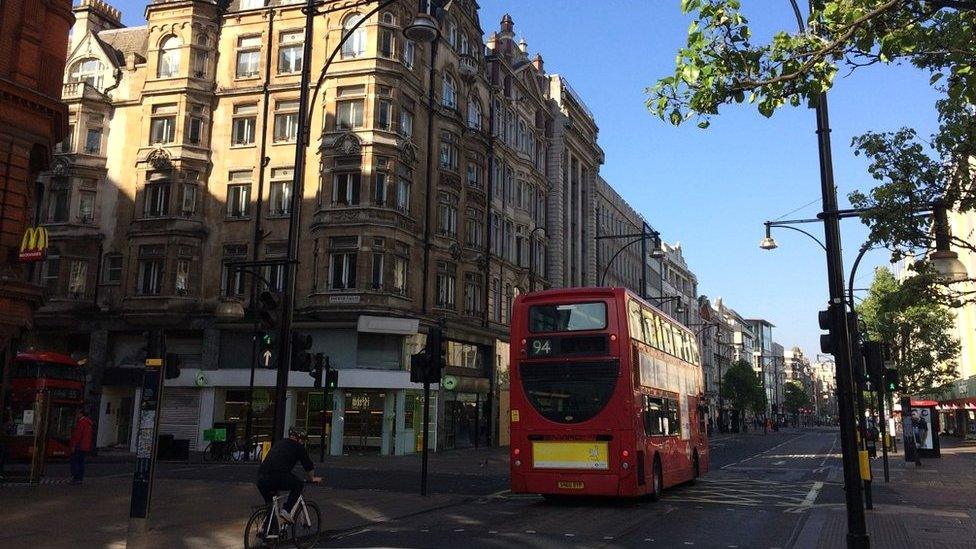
[33,41]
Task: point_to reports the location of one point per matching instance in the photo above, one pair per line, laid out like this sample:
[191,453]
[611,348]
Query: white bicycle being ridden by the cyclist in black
[267,530]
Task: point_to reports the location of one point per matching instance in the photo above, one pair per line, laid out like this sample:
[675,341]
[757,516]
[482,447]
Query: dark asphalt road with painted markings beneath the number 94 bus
[756,496]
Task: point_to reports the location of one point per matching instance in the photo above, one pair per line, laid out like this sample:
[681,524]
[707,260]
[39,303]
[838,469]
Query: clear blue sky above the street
[712,189]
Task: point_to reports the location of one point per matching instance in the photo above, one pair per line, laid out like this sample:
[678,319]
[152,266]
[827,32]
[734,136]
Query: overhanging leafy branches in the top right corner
[721,64]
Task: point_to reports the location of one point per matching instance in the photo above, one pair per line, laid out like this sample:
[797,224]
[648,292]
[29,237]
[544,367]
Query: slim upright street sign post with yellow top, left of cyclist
[149,411]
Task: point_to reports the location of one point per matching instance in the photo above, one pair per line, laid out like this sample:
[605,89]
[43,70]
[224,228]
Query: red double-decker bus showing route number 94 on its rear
[606,396]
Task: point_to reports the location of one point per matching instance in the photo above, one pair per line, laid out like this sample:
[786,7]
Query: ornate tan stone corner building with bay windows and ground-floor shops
[181,165]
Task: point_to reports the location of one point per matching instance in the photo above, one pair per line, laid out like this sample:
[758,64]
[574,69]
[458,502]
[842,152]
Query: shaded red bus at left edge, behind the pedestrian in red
[63,379]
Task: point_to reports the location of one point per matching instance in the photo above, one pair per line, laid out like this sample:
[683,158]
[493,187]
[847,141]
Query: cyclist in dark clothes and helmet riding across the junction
[275,471]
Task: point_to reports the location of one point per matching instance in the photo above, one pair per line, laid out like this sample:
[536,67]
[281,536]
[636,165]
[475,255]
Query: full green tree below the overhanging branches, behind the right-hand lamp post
[918,329]
